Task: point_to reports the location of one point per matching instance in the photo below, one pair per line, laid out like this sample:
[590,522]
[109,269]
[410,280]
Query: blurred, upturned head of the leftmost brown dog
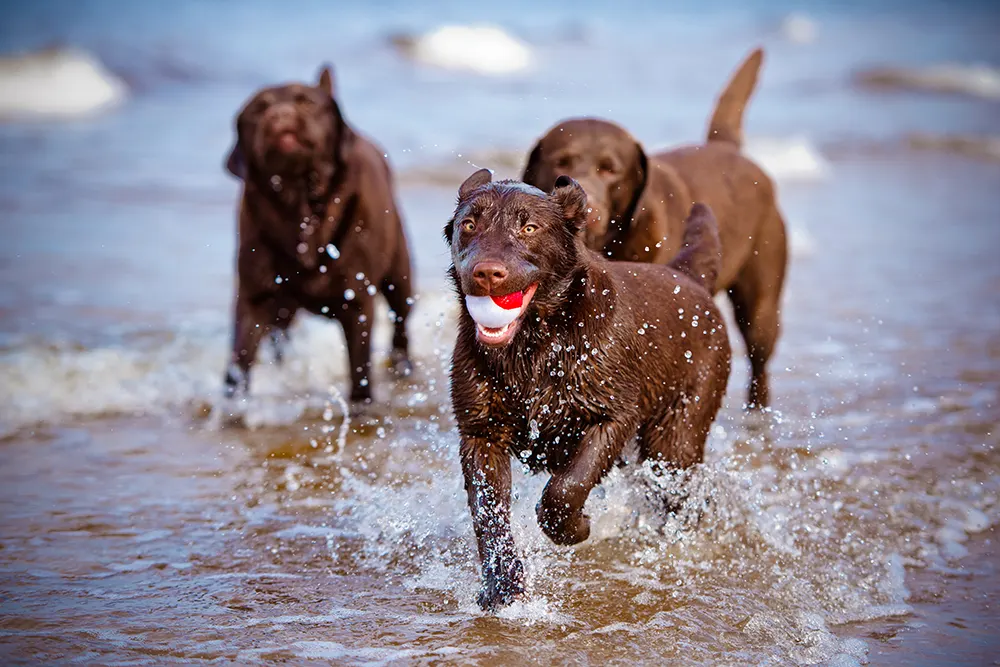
[293,129]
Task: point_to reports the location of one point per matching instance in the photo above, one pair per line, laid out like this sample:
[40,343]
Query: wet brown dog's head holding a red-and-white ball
[514,250]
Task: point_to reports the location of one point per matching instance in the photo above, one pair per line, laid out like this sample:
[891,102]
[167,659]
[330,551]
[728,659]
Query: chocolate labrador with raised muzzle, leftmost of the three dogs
[319,229]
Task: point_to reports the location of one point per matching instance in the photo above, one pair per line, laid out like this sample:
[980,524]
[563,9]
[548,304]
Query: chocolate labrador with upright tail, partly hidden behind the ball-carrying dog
[638,203]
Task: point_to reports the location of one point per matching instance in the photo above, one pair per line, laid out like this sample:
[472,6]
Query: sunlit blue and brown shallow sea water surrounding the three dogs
[144,520]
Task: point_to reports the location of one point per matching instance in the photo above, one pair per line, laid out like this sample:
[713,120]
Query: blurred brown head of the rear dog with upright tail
[603,158]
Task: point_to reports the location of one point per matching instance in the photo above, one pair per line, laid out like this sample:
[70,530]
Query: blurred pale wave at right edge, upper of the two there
[982,81]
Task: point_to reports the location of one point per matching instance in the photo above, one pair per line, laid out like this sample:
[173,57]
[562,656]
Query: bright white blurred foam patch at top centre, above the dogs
[482,49]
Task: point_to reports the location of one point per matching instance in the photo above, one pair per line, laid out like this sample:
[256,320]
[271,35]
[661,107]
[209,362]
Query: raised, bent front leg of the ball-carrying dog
[560,510]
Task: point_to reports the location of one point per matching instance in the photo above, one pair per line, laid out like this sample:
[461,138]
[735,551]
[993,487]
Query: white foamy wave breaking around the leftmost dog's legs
[169,371]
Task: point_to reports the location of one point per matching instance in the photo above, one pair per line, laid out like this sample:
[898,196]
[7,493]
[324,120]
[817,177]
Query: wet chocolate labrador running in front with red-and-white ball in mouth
[563,357]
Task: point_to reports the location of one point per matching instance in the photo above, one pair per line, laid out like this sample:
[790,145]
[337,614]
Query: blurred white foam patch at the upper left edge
[57,83]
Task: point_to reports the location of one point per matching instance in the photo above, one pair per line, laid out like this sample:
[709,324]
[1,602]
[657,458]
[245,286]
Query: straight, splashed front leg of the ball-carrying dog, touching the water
[486,466]
